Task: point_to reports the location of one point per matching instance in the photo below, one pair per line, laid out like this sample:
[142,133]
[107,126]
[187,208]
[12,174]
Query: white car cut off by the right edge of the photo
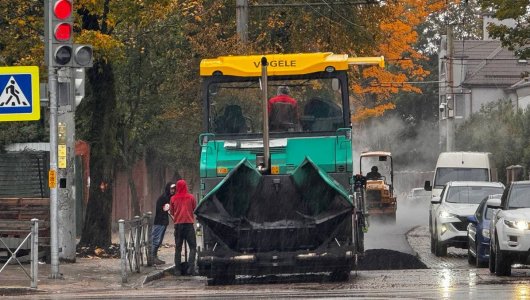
[510,230]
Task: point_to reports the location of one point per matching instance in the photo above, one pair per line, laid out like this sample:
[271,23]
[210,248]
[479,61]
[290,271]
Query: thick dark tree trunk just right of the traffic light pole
[102,138]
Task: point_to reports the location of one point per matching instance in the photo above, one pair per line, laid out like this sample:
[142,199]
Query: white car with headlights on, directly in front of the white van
[448,213]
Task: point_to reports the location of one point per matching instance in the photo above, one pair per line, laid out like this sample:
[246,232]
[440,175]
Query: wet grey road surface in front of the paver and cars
[448,277]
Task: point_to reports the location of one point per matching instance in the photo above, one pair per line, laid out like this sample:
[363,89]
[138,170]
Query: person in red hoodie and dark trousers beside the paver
[182,206]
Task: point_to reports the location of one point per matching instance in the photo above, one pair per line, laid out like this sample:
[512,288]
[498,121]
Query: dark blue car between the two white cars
[478,231]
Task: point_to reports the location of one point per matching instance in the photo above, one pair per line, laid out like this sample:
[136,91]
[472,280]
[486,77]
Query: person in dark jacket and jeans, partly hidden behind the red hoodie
[161,221]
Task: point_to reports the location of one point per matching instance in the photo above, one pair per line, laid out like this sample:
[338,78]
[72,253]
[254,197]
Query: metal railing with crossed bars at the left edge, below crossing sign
[34,265]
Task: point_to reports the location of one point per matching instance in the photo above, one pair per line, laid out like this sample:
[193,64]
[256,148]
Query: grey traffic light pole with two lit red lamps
[61,56]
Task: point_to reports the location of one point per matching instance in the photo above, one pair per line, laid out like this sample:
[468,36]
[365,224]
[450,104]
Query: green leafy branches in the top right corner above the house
[515,38]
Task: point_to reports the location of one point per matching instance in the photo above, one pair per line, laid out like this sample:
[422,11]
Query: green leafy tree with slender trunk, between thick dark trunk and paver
[155,114]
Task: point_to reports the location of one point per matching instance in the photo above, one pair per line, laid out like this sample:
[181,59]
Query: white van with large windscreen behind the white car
[461,166]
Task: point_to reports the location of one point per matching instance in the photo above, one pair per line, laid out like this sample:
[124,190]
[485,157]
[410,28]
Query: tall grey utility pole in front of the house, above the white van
[449,95]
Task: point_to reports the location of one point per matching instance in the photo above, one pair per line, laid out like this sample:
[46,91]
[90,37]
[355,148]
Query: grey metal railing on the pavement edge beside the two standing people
[135,244]
